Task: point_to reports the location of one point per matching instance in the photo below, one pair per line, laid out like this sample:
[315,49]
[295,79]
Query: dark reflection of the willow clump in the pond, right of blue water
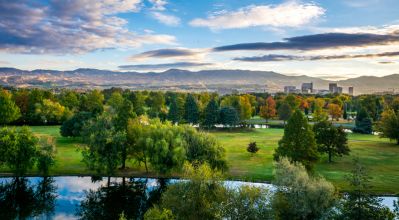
[132,197]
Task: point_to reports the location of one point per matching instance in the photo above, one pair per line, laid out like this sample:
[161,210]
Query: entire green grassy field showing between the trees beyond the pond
[380,156]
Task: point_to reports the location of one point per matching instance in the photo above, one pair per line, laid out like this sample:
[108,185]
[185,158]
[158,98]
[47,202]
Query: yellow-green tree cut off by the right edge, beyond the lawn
[388,126]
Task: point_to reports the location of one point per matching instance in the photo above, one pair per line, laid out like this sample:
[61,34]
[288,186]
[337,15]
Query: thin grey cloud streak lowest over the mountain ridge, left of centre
[163,66]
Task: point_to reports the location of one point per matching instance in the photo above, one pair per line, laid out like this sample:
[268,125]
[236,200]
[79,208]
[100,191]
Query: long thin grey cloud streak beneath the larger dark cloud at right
[277,57]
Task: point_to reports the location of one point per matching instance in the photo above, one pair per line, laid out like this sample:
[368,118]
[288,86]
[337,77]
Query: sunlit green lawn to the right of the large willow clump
[380,156]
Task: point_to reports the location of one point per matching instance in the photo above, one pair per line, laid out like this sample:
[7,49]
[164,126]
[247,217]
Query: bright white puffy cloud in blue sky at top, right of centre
[290,14]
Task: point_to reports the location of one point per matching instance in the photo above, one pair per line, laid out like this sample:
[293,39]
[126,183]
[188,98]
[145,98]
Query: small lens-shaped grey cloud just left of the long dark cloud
[166,53]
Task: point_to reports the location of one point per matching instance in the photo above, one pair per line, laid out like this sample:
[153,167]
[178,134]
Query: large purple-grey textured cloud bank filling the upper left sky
[74,26]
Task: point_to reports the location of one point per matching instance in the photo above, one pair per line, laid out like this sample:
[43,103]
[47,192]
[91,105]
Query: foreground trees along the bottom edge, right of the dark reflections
[298,195]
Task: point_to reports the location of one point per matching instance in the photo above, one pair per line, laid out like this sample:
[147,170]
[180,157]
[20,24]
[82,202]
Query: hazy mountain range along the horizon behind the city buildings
[177,79]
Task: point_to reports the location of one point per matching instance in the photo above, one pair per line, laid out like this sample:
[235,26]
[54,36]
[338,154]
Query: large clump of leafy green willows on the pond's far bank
[118,135]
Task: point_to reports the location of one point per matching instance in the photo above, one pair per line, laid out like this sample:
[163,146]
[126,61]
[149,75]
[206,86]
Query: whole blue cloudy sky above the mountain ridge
[331,39]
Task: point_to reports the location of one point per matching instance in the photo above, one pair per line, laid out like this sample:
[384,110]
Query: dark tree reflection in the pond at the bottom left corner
[20,200]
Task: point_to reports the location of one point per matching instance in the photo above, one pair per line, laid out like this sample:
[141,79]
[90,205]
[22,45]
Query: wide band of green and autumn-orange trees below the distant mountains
[38,106]
